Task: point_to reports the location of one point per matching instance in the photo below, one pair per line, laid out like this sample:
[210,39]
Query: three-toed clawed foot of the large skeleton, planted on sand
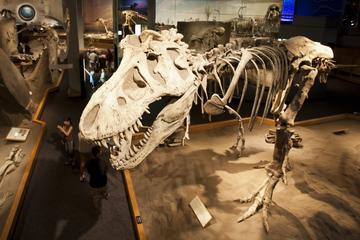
[261,199]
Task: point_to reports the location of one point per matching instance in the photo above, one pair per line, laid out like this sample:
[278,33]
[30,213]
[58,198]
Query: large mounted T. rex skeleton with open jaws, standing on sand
[160,64]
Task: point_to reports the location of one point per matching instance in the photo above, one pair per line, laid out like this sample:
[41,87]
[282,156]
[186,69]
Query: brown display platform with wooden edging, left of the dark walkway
[15,182]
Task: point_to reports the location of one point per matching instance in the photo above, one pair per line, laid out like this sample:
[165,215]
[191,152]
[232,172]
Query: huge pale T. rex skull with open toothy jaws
[153,65]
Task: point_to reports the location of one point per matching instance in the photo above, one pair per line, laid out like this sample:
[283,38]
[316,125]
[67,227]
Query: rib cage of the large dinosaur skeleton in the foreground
[270,64]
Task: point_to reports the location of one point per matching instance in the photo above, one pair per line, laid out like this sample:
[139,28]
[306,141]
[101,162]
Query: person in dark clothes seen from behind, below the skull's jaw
[97,171]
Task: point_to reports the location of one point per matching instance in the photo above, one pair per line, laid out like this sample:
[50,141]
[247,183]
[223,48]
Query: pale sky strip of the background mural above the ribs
[171,11]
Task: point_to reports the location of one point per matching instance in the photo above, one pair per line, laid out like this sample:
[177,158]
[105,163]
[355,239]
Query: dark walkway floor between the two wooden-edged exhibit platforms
[57,205]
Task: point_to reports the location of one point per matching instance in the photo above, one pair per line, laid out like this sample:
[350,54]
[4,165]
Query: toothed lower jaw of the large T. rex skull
[125,153]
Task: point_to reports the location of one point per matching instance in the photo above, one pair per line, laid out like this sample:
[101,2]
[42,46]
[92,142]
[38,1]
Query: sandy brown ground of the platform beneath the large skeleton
[321,200]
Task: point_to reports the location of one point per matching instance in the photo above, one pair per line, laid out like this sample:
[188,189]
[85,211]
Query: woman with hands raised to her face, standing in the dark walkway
[66,131]
